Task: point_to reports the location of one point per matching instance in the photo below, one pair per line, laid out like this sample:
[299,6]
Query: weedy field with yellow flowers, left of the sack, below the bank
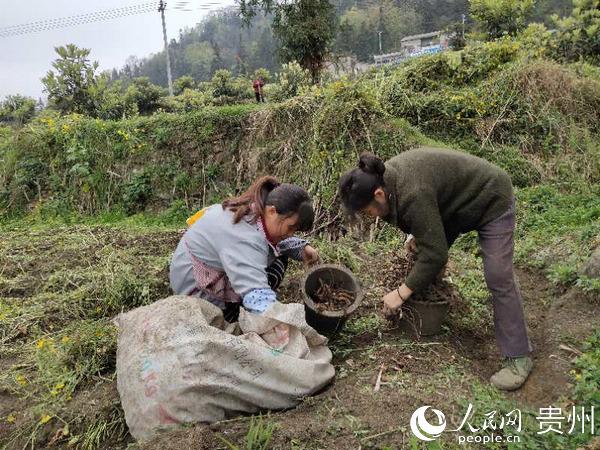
[57,296]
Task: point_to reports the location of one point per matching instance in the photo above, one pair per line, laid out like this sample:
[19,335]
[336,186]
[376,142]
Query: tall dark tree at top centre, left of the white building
[304,29]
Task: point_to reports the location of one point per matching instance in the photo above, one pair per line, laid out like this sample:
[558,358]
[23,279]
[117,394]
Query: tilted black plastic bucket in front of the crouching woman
[329,322]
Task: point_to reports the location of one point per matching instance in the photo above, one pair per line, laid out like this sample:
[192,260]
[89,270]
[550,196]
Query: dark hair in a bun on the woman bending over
[357,187]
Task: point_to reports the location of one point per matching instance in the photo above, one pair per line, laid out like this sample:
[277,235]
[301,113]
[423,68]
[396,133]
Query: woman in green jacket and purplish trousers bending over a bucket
[434,195]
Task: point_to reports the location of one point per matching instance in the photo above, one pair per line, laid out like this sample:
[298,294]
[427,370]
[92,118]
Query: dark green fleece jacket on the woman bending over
[435,194]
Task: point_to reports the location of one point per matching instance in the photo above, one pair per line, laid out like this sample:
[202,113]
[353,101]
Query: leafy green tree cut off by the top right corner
[578,35]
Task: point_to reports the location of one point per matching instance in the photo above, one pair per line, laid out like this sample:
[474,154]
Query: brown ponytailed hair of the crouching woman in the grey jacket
[288,199]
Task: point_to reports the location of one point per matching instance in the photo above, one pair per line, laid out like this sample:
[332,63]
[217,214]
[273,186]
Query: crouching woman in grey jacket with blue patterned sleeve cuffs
[236,252]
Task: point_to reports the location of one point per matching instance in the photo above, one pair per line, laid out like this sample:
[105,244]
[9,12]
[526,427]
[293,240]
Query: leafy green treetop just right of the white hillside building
[501,17]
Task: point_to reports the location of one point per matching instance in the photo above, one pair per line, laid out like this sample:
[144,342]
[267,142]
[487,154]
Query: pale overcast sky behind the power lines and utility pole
[24,59]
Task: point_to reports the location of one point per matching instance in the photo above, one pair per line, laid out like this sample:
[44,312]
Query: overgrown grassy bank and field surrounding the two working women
[91,211]
